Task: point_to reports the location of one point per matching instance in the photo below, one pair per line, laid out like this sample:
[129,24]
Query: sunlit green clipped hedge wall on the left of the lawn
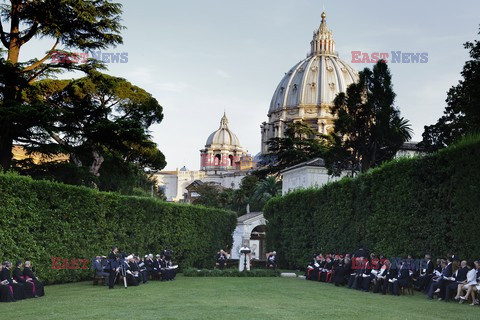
[41,220]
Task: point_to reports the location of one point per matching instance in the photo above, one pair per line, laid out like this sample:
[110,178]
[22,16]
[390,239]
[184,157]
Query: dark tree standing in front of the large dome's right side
[368,127]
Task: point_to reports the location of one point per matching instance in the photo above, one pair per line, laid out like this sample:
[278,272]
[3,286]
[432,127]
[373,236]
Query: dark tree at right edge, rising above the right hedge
[462,113]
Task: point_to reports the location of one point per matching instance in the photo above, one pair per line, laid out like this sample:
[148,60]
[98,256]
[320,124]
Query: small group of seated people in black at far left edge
[19,283]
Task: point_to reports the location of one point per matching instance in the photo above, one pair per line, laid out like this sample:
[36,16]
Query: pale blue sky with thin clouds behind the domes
[200,59]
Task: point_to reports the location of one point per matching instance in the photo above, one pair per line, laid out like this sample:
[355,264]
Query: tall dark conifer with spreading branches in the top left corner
[73,24]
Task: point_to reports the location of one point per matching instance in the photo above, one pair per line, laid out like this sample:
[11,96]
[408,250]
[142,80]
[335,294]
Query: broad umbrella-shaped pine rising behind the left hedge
[95,117]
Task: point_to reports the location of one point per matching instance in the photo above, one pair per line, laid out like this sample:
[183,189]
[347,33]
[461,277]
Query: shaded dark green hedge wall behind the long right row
[409,205]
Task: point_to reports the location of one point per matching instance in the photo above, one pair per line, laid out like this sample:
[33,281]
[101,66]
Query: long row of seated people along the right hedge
[451,276]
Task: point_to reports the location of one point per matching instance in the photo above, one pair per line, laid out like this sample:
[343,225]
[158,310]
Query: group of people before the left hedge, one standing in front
[135,269]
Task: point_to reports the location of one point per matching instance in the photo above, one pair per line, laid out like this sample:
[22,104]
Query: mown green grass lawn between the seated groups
[228,298]
